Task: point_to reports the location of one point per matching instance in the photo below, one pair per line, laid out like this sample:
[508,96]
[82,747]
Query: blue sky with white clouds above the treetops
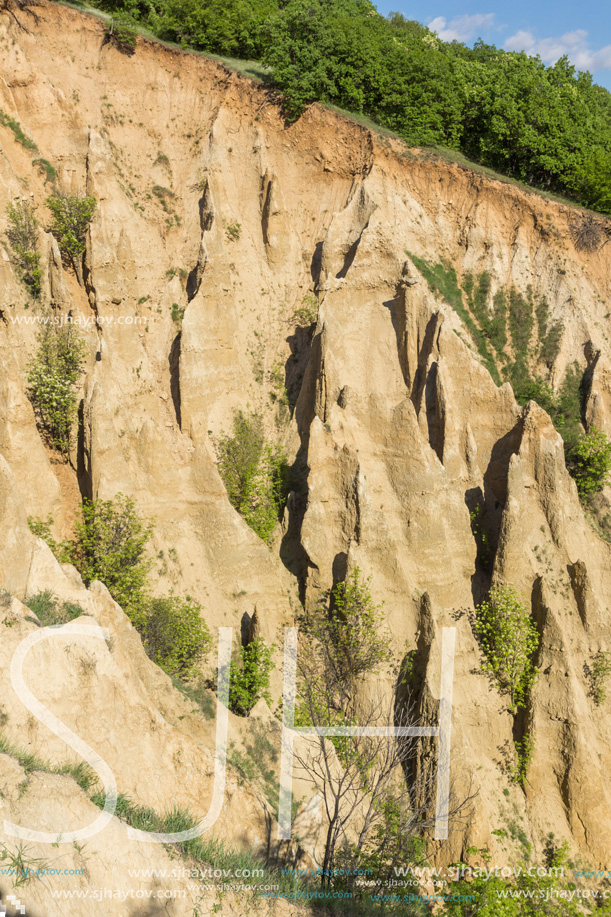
[549,28]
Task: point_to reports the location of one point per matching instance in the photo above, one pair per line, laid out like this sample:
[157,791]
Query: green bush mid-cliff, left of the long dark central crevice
[255,474]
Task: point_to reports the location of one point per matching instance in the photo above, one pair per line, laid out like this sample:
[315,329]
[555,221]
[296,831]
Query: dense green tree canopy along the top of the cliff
[549,126]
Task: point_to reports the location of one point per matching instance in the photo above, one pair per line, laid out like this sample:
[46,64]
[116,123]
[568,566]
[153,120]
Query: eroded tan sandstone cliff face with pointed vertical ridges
[208,200]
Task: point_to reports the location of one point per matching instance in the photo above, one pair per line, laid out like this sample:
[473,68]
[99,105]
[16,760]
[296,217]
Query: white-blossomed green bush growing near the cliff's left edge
[53,375]
